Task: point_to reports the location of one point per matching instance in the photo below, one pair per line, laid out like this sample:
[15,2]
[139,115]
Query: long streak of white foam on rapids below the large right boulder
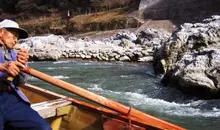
[142,101]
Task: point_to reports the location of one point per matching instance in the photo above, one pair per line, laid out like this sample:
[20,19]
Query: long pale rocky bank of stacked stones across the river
[124,46]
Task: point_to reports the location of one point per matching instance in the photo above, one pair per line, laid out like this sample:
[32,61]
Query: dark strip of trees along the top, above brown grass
[44,6]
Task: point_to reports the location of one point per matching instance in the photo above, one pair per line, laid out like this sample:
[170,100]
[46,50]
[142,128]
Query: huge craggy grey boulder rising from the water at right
[190,59]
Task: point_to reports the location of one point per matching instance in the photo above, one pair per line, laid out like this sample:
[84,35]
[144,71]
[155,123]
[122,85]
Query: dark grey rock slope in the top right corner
[179,11]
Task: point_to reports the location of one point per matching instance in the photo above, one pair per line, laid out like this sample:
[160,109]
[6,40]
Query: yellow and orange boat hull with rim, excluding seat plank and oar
[78,115]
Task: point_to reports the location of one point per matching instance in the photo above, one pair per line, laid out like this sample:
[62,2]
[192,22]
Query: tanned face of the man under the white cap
[8,37]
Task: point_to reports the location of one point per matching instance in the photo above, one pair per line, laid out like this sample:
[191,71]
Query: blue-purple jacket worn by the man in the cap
[6,56]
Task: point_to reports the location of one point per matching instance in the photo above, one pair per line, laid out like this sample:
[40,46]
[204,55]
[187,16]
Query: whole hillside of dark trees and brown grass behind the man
[70,16]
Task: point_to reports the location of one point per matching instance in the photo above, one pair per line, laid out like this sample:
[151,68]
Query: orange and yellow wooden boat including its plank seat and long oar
[65,113]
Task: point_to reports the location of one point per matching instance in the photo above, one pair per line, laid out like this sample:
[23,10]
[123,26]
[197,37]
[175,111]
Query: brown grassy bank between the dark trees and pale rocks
[107,20]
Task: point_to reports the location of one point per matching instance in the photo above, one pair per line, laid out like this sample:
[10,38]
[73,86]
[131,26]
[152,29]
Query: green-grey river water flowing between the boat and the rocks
[133,84]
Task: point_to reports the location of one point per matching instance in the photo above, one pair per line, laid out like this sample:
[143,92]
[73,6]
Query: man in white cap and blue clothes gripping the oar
[15,110]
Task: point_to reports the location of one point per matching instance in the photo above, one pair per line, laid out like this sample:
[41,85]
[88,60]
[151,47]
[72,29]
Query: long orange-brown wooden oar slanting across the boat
[149,120]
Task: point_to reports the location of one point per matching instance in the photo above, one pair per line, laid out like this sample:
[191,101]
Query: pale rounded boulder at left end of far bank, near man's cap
[44,47]
